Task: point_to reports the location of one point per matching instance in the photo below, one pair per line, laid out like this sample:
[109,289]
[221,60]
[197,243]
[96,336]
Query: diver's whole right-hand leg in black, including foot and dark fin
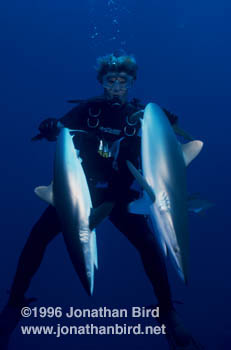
[136,229]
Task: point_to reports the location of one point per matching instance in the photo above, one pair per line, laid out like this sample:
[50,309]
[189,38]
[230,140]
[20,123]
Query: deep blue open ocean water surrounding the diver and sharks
[48,54]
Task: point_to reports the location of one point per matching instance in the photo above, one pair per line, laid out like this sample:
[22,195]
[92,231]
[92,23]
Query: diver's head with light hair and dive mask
[116,72]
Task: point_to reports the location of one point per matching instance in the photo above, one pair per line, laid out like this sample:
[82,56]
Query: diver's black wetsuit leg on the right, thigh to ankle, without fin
[136,229]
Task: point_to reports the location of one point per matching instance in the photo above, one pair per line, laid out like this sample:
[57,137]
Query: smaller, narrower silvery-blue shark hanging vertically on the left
[70,195]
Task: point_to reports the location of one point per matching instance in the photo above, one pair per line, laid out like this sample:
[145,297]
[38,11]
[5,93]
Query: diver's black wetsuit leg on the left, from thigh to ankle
[46,228]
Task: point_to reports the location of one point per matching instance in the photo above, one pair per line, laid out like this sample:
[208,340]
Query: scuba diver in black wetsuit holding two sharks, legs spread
[112,124]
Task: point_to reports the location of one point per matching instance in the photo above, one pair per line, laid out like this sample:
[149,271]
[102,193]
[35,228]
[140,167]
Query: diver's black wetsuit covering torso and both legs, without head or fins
[109,179]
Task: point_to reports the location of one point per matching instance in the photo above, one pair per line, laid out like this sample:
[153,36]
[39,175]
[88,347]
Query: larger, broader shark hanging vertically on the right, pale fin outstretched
[164,162]
